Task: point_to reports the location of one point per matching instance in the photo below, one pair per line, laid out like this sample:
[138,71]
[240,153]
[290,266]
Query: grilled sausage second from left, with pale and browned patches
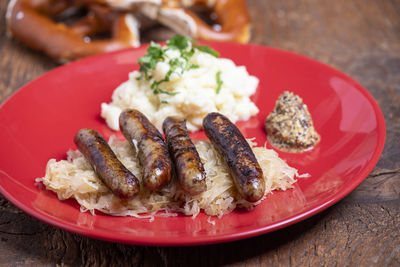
[150,146]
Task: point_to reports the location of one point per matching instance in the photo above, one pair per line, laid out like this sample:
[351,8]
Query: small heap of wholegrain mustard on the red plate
[289,126]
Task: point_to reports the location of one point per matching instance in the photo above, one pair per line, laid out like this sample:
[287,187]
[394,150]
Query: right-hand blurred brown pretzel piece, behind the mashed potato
[232,15]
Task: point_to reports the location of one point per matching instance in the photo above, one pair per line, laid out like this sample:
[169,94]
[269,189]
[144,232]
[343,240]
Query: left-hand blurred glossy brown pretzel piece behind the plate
[31,22]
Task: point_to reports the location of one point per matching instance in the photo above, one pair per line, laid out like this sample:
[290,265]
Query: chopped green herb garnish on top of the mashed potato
[155,53]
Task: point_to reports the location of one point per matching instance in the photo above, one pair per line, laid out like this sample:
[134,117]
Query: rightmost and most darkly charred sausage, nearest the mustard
[239,156]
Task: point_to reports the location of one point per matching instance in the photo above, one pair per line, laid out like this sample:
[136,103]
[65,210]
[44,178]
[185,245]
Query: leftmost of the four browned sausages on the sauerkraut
[105,163]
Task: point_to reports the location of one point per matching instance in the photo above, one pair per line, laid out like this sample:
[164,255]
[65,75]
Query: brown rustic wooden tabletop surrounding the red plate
[360,38]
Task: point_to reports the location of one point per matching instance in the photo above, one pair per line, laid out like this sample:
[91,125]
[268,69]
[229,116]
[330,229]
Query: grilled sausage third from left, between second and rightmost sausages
[188,166]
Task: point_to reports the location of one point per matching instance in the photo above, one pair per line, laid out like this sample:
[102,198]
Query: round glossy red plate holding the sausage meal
[39,121]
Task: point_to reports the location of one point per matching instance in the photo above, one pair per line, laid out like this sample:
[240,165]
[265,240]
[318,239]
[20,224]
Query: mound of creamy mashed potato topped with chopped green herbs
[186,80]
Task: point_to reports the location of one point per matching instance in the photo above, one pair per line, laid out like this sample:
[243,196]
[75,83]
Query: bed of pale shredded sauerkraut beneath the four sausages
[75,178]
